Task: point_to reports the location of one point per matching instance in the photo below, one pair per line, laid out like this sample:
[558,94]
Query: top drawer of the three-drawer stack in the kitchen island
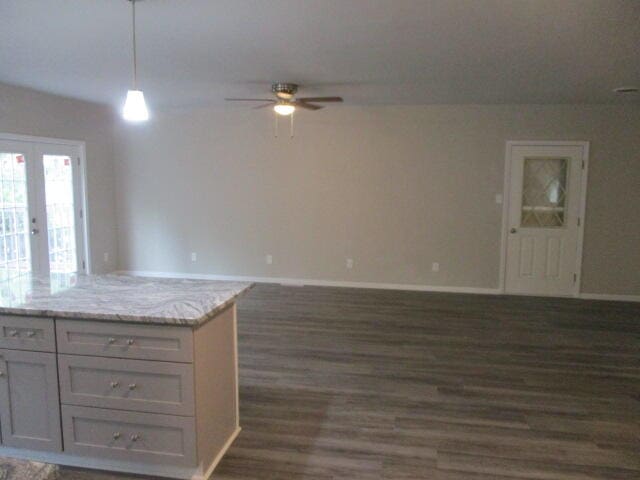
[144,342]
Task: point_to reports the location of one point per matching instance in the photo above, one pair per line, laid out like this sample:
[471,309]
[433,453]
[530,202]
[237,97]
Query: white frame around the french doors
[85,253]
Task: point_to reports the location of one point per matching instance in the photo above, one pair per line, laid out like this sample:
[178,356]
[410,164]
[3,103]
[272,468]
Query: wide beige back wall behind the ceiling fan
[394,188]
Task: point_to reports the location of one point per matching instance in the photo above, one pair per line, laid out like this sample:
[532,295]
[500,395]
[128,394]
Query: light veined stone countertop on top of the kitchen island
[118,298]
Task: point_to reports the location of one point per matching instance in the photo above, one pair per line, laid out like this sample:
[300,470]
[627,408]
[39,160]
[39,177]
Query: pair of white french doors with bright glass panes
[41,228]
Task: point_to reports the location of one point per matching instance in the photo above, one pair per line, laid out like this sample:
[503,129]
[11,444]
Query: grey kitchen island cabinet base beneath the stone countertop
[138,398]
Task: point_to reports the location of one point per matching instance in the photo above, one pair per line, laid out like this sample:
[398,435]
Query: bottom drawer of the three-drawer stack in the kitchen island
[129,436]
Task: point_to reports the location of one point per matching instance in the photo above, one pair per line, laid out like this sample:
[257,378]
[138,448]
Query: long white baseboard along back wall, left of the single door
[300,282]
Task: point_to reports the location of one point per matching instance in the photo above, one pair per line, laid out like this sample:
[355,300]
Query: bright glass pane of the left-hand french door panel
[15,254]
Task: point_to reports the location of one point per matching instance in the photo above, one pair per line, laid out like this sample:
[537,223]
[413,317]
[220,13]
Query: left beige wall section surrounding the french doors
[27,112]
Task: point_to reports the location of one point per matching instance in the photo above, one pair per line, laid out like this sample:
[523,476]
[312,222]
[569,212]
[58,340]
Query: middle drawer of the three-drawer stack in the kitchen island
[157,387]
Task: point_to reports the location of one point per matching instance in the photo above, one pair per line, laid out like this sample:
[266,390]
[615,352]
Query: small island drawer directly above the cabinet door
[27,333]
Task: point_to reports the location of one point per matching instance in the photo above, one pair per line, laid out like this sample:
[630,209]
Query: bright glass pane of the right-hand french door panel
[58,185]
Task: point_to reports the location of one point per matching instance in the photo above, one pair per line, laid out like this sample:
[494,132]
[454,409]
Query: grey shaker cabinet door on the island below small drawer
[29,401]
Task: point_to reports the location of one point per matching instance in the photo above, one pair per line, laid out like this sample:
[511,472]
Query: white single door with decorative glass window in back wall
[544,224]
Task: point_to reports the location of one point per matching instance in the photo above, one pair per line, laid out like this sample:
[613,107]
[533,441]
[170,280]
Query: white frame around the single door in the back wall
[507,198]
